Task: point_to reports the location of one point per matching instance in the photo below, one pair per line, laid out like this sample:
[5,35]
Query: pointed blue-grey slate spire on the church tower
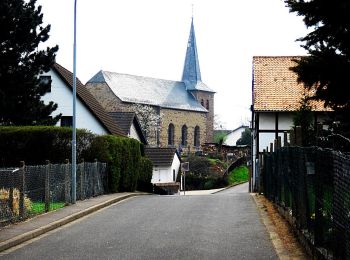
[191,73]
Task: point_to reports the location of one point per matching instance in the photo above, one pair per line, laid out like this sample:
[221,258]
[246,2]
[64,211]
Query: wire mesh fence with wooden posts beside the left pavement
[30,190]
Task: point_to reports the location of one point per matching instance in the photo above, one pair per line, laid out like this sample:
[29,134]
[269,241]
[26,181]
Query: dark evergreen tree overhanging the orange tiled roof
[326,68]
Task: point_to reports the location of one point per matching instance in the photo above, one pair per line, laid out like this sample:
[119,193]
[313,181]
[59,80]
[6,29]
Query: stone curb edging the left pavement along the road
[58,223]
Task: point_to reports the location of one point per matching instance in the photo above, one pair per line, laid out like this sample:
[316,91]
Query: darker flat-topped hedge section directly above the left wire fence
[36,144]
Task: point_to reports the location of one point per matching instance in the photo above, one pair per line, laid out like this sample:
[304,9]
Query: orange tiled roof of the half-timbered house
[275,86]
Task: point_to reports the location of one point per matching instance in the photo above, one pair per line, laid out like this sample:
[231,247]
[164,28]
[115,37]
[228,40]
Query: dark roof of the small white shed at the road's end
[161,156]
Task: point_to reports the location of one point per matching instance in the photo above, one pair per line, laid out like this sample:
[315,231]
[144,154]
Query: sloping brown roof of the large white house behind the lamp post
[88,100]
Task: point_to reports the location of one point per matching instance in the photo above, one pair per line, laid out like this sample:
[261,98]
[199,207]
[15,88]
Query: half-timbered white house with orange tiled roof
[276,97]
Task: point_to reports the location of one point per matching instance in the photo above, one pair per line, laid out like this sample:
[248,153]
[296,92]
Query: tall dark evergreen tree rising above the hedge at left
[21,63]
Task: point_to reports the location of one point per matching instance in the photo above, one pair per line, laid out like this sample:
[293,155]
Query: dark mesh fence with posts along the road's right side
[312,186]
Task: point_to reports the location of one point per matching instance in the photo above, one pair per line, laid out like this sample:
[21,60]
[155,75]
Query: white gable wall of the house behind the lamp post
[63,96]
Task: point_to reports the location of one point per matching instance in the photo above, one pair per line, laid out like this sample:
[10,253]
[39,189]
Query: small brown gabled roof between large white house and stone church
[125,119]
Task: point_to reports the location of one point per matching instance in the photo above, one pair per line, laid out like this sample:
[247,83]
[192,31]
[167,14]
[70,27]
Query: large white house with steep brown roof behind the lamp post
[89,113]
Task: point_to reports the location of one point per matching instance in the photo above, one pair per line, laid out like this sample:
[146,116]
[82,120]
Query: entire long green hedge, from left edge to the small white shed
[128,170]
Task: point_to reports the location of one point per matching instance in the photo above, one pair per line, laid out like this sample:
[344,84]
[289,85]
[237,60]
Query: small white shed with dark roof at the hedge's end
[166,166]
